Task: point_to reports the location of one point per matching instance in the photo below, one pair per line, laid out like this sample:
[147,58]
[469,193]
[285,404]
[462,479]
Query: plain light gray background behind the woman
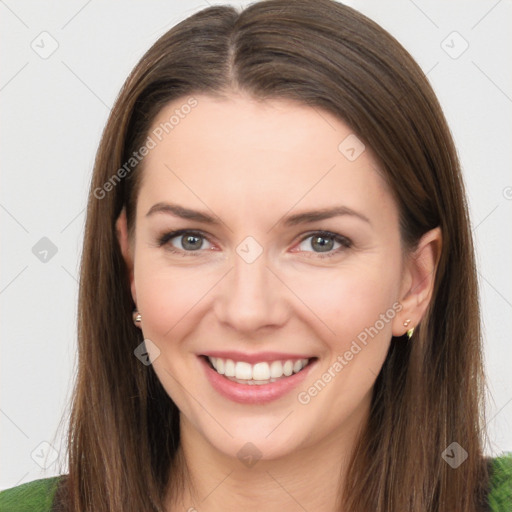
[54,109]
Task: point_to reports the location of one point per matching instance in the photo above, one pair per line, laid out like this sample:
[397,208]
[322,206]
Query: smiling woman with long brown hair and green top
[278,301]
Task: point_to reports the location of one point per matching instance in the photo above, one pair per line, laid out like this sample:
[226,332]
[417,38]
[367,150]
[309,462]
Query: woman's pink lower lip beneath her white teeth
[256,393]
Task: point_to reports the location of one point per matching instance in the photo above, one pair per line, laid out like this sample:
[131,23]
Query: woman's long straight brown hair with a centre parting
[124,428]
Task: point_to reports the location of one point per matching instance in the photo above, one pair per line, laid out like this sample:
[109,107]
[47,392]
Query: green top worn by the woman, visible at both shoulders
[37,496]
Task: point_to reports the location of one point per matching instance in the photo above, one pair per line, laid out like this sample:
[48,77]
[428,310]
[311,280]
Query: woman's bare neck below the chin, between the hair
[309,478]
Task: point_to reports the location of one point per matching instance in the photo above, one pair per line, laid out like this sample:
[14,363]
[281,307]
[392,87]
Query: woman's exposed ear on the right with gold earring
[418,281]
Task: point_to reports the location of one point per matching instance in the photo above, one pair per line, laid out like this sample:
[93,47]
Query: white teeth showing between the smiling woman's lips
[261,373]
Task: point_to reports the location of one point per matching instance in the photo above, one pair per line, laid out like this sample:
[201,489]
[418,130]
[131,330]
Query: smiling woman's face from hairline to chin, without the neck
[252,282]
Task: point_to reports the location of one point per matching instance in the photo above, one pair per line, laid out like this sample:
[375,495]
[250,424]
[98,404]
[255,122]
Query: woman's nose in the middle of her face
[251,297]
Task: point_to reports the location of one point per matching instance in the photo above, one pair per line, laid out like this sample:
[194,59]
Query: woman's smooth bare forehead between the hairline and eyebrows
[258,155]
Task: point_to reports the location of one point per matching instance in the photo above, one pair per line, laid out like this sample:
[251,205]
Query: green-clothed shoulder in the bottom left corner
[35,496]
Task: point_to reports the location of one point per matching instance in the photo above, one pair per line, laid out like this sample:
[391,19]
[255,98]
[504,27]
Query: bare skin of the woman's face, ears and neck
[251,163]
